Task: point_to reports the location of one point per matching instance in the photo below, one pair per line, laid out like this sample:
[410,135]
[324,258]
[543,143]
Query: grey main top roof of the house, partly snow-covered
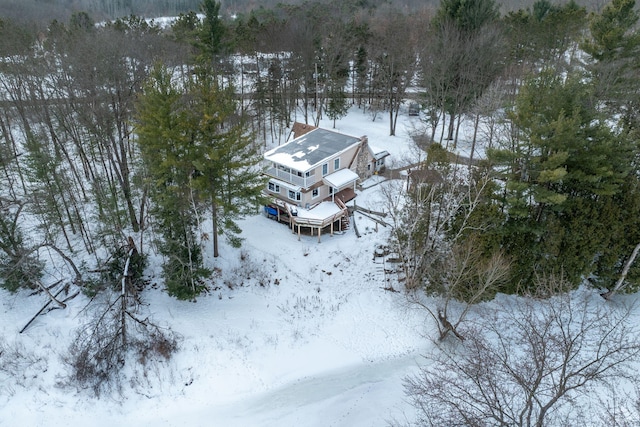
[311,149]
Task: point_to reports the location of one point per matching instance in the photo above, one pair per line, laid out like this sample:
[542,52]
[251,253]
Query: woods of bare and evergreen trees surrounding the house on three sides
[133,129]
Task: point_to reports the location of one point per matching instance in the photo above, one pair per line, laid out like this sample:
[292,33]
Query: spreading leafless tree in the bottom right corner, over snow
[528,362]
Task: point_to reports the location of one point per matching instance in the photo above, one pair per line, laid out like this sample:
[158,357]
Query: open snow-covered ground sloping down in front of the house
[308,336]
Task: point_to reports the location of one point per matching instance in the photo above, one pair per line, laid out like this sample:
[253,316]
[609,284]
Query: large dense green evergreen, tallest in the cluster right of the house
[563,167]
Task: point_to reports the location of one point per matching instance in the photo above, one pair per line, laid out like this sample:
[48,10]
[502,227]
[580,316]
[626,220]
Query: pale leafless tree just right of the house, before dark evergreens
[432,217]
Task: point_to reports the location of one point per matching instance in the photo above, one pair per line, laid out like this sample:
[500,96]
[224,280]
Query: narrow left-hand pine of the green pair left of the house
[168,149]
